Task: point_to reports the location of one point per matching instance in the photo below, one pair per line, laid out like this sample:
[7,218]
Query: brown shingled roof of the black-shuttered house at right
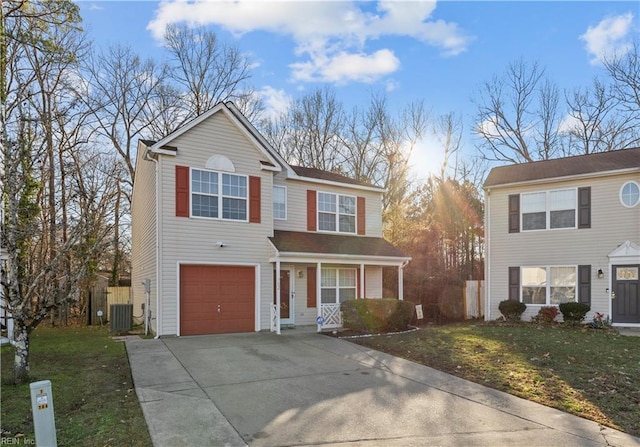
[620,160]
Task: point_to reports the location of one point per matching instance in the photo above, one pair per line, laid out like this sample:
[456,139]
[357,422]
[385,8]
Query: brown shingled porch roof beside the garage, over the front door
[331,244]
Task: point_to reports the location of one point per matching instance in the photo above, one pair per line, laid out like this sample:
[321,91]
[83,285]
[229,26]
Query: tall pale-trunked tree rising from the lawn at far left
[46,254]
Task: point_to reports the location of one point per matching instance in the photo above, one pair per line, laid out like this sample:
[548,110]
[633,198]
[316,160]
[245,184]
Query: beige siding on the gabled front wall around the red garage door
[193,240]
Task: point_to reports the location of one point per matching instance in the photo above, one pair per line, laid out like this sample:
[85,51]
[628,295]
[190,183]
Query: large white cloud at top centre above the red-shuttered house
[332,36]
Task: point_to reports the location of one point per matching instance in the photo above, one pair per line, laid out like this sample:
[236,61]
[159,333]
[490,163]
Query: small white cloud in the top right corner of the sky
[608,38]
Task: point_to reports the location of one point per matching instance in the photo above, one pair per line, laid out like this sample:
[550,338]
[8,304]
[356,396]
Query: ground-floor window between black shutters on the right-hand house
[548,285]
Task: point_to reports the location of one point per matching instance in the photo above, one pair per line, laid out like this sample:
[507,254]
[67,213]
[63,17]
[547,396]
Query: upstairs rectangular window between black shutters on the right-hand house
[549,210]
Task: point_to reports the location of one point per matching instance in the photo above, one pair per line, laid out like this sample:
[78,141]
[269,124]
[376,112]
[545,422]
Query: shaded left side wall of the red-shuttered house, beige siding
[143,235]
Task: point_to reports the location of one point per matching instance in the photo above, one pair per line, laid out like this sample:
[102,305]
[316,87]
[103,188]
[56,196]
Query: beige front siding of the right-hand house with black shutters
[611,225]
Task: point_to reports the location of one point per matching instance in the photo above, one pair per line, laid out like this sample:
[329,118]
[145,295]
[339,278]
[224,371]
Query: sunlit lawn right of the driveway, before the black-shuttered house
[591,373]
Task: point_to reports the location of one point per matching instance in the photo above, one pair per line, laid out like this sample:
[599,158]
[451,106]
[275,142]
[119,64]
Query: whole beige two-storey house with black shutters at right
[566,230]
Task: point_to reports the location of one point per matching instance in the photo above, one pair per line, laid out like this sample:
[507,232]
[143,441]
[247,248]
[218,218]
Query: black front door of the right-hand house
[625,303]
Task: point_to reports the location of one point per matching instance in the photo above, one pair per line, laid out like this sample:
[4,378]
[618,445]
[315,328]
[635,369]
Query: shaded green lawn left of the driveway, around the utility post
[95,403]
